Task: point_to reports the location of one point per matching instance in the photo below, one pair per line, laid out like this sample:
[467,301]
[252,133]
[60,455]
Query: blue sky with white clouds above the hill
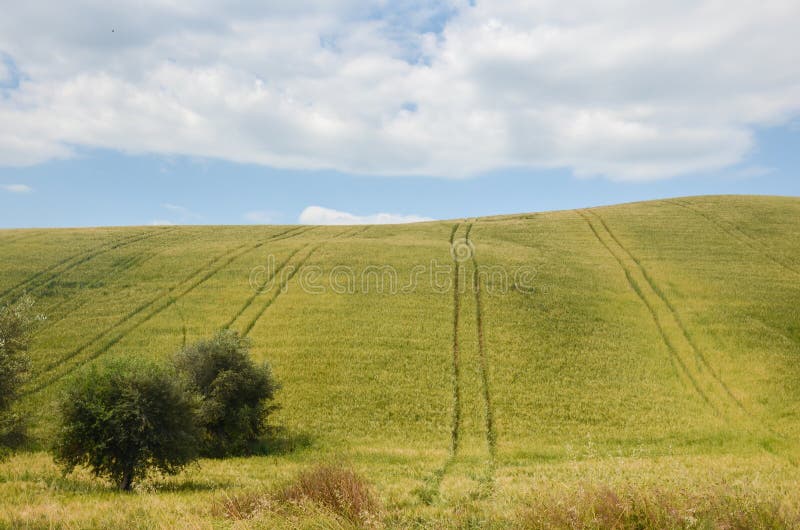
[341,112]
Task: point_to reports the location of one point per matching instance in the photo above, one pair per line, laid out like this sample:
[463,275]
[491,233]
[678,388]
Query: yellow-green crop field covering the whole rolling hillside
[652,349]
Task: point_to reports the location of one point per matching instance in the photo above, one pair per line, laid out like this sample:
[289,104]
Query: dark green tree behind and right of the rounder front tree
[234,393]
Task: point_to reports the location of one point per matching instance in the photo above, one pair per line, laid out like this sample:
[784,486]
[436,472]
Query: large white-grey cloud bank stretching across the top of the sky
[624,89]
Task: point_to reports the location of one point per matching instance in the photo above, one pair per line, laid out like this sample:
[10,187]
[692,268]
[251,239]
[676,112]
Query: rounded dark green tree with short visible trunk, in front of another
[124,419]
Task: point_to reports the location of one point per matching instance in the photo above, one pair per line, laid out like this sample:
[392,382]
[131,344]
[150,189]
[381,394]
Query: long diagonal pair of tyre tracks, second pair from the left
[156,306]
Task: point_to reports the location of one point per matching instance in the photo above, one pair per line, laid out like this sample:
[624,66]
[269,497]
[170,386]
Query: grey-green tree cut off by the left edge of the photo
[16,323]
